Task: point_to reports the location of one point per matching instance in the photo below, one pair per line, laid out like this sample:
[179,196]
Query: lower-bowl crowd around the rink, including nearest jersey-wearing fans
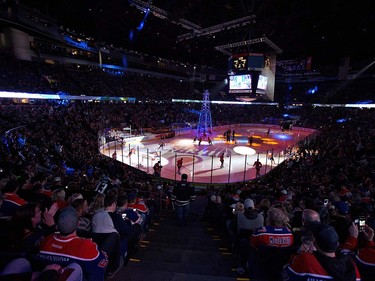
[53,178]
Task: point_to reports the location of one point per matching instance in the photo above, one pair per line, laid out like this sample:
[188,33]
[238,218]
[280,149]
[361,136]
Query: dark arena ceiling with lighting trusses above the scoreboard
[324,30]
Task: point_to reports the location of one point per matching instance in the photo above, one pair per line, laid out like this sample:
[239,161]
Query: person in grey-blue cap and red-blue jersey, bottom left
[66,247]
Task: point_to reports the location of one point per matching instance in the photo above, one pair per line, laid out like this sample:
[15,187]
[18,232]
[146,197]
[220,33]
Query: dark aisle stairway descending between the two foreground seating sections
[192,253]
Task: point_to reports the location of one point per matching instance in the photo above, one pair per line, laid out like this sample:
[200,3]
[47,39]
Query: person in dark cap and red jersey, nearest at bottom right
[324,263]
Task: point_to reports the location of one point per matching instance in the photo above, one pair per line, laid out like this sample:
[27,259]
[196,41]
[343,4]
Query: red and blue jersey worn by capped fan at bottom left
[64,250]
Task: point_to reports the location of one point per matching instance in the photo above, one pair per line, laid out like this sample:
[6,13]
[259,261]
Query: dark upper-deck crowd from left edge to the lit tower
[74,79]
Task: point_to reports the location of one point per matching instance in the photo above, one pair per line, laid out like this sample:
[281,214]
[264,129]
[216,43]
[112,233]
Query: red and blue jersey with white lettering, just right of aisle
[275,236]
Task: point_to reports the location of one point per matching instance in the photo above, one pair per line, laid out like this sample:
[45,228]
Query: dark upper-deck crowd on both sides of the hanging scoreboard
[76,79]
